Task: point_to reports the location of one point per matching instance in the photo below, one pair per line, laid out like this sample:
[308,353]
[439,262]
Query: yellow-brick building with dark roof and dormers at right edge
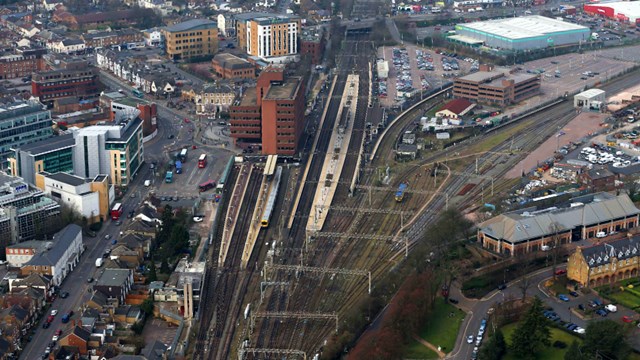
[605,263]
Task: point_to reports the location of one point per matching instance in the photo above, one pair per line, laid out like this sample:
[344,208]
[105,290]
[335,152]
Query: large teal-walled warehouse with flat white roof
[520,33]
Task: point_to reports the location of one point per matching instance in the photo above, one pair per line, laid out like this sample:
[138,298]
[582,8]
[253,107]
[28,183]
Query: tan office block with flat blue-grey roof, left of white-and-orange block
[195,38]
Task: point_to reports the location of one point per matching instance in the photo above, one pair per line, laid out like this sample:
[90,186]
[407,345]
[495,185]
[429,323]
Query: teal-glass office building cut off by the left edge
[21,123]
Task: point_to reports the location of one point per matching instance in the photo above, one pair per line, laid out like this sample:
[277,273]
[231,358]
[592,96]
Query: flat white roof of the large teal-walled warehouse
[523,27]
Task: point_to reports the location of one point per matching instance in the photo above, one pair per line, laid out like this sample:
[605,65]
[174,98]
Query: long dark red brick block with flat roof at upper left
[57,84]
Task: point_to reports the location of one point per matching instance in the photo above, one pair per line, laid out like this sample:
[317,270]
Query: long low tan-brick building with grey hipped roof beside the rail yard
[527,230]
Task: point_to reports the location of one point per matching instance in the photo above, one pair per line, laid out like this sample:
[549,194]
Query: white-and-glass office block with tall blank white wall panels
[115,150]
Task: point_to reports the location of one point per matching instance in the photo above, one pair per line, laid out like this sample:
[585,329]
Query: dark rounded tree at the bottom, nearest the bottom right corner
[605,339]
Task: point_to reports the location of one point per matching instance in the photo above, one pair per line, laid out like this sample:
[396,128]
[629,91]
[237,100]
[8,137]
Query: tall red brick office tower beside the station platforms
[270,117]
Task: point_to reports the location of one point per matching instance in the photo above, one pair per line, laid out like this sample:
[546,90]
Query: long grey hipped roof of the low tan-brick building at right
[533,223]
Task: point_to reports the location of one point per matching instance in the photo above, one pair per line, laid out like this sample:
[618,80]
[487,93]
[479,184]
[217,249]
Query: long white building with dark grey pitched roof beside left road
[58,258]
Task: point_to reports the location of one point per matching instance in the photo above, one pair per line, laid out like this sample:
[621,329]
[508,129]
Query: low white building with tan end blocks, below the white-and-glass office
[89,198]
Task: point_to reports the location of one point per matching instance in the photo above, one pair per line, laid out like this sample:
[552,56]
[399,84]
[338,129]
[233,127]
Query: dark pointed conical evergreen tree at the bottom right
[532,334]
